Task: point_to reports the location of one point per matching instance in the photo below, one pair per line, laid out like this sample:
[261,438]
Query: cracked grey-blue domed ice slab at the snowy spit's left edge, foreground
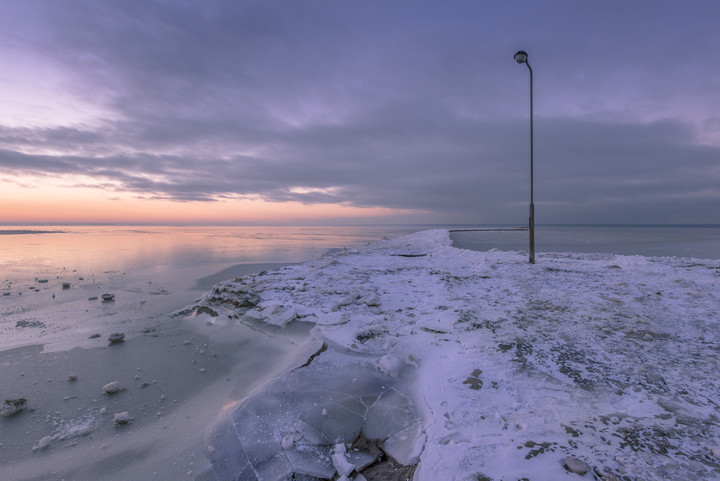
[301,422]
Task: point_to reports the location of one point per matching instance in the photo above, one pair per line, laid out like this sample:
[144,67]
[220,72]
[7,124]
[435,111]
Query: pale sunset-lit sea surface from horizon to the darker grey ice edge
[151,270]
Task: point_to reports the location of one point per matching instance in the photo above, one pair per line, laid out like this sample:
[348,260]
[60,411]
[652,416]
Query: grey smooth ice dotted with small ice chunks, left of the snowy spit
[172,377]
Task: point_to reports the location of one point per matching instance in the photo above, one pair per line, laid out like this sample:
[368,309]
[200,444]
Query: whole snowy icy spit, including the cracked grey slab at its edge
[517,371]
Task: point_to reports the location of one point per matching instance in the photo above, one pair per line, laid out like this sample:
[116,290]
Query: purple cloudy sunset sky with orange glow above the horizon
[332,112]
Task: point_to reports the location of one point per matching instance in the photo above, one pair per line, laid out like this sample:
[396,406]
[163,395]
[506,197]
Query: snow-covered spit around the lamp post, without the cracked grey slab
[609,359]
